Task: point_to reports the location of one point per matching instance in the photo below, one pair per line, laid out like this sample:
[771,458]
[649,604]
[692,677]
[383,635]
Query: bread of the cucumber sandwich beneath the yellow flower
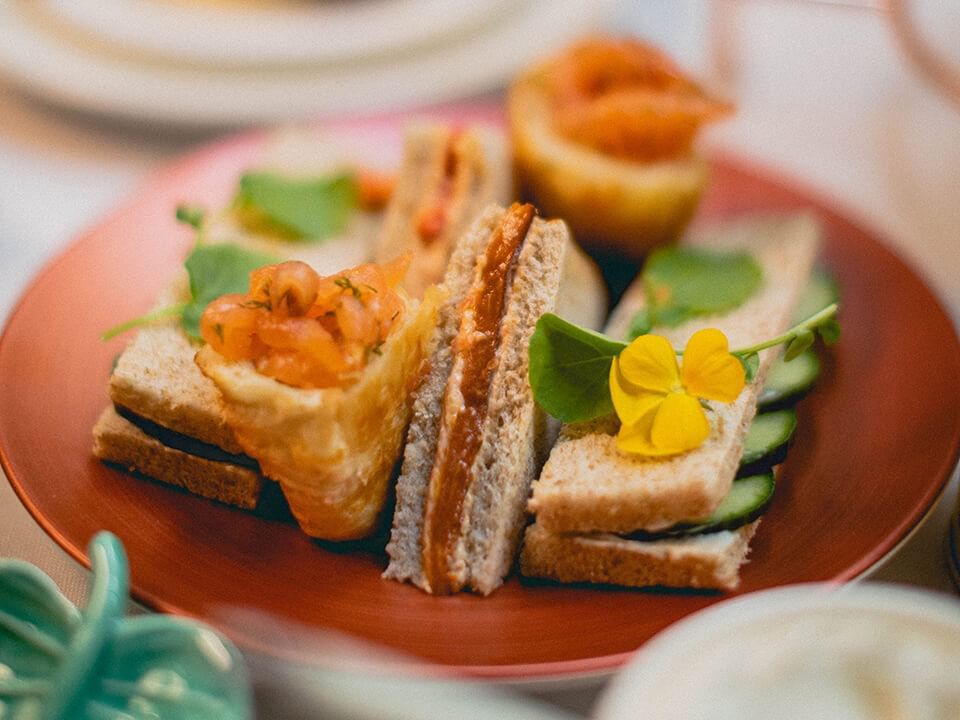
[603,515]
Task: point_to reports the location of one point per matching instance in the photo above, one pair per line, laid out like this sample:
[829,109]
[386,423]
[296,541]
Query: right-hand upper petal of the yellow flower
[709,370]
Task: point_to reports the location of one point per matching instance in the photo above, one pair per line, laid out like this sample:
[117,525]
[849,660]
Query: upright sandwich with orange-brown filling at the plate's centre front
[477,438]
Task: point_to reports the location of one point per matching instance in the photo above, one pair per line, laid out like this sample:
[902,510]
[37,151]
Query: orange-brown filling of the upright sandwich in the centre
[466,394]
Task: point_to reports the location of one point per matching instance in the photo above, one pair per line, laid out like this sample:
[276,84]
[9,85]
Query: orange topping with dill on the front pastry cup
[306,330]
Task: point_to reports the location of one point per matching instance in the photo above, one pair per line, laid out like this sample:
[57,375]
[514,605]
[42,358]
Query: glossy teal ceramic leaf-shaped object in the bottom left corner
[58,663]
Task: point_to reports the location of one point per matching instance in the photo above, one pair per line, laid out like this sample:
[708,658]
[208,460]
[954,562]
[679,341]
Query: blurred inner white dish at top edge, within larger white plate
[263,32]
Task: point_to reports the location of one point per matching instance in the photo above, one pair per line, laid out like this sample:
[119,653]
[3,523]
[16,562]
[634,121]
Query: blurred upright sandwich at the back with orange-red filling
[446,178]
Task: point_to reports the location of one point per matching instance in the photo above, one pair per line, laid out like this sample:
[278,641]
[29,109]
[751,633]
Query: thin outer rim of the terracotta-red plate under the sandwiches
[516,673]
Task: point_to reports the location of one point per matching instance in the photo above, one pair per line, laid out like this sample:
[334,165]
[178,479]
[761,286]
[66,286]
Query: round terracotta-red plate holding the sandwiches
[876,443]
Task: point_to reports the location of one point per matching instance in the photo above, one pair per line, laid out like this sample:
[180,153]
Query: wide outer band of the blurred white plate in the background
[84,76]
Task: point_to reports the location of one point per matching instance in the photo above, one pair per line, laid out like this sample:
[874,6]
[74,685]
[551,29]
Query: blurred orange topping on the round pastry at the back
[629,100]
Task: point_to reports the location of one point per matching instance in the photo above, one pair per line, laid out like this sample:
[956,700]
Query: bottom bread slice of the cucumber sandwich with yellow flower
[709,561]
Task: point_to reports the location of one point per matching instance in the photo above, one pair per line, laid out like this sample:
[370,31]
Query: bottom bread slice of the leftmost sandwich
[120,442]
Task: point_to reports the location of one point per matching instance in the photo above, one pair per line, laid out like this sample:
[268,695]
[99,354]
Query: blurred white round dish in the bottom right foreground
[800,652]
